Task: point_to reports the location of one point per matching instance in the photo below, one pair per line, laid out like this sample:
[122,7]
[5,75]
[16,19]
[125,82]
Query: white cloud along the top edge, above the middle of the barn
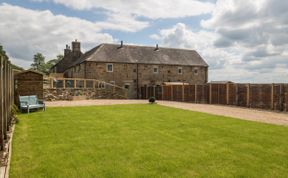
[124,15]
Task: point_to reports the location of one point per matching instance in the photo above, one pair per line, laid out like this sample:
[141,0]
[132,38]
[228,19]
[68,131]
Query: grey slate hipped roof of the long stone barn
[141,54]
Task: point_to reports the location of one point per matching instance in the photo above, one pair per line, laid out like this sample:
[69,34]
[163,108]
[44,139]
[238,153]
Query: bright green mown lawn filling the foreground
[145,141]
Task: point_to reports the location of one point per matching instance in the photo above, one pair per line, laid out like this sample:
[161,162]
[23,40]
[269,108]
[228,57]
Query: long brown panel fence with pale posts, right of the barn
[263,96]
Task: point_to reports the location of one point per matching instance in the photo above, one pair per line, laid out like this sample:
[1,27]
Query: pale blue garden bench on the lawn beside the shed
[31,102]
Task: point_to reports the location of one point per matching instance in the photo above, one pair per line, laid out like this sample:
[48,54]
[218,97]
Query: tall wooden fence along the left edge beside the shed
[6,98]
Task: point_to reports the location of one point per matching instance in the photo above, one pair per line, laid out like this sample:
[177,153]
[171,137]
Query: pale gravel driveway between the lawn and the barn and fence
[236,112]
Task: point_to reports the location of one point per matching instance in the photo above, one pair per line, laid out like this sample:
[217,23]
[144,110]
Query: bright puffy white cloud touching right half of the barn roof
[181,36]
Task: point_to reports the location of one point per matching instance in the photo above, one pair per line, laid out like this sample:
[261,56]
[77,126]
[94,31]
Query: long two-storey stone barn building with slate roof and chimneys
[132,66]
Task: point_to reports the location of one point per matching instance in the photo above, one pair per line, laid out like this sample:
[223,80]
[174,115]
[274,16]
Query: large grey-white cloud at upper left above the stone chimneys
[24,32]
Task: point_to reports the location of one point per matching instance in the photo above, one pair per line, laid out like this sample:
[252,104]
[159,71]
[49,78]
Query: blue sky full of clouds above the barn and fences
[242,41]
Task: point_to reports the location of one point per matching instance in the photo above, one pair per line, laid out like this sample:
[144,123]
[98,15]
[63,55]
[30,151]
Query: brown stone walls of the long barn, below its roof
[126,74]
